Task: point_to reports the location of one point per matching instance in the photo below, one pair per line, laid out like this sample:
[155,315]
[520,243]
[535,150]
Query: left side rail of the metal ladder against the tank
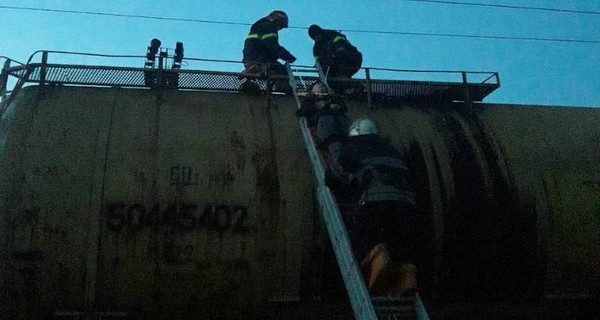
[357,291]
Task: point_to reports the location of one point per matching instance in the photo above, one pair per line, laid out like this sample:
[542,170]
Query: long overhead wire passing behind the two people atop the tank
[423,34]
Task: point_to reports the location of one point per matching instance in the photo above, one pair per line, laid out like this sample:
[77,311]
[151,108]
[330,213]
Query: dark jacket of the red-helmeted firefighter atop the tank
[262,44]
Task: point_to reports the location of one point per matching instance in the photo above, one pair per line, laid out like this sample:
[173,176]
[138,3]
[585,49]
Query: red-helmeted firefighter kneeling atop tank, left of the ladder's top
[262,49]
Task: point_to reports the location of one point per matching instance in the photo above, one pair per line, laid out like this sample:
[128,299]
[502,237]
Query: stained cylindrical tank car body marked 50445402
[140,203]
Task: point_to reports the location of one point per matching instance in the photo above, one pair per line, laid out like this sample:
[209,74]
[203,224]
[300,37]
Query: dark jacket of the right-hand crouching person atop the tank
[329,43]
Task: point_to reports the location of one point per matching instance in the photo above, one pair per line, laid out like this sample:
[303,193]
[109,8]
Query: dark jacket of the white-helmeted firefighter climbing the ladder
[378,167]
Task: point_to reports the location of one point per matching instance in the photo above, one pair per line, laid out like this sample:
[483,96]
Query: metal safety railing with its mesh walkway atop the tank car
[370,84]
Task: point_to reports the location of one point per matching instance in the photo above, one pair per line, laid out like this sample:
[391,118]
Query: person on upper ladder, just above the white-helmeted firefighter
[326,115]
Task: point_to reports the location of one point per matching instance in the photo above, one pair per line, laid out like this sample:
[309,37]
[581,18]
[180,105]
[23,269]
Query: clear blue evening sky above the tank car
[531,72]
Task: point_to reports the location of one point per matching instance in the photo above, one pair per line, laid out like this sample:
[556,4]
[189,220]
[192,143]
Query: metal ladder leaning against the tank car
[364,306]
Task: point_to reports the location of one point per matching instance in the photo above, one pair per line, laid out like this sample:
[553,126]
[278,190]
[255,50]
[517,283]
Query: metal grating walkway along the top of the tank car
[229,81]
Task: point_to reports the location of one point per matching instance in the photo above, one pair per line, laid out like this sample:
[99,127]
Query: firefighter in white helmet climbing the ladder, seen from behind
[382,228]
